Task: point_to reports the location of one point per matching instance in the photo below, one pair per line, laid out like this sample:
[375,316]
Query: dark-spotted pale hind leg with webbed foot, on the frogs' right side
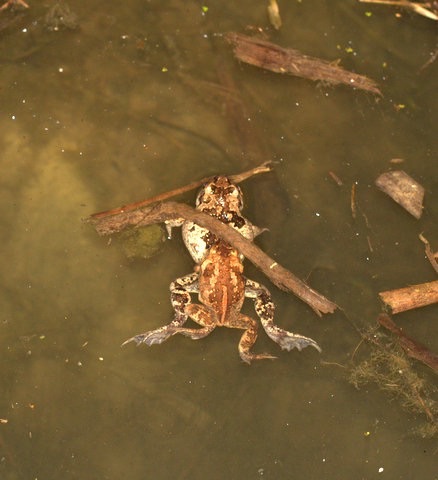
[264,308]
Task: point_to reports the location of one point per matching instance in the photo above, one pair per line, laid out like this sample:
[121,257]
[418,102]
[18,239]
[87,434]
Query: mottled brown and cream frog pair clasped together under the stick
[219,282]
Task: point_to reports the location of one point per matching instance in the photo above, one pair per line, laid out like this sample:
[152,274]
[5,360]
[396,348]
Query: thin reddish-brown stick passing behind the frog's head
[240,177]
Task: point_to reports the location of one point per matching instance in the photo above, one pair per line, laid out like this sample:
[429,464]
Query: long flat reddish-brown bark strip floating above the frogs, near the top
[272,57]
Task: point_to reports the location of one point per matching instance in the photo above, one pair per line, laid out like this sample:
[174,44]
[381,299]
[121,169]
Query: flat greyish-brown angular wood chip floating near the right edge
[404,190]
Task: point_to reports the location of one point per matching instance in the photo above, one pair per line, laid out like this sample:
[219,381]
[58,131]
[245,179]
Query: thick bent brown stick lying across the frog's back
[162,212]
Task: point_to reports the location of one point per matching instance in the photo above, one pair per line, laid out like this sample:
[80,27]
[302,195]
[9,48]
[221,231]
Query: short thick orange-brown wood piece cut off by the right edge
[408,298]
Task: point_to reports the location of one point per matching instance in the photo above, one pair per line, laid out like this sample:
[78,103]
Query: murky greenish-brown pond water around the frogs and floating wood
[134,103]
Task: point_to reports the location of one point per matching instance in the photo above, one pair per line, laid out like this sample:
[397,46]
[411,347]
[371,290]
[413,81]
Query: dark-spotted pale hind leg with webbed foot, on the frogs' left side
[180,298]
